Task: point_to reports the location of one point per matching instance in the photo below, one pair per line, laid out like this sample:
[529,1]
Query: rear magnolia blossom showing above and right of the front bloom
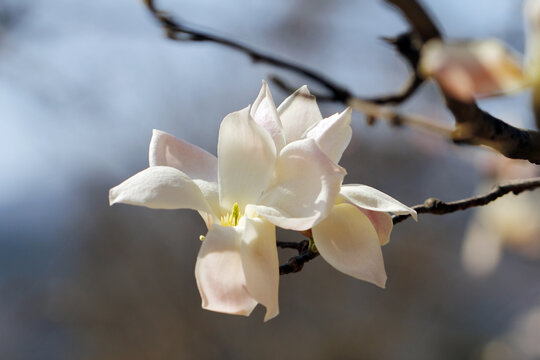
[350,237]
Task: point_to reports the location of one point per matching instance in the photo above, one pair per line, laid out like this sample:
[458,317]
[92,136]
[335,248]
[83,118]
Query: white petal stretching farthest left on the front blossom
[160,187]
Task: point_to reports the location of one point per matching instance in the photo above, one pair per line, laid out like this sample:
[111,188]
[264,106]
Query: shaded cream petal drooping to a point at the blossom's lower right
[347,241]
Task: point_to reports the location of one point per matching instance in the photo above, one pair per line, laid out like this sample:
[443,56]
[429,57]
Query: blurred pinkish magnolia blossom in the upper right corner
[466,70]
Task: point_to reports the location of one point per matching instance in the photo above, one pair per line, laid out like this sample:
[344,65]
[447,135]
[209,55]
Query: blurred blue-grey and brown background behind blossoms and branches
[82,85]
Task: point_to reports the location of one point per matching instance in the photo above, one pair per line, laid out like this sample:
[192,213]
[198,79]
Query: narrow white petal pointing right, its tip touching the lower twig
[370,198]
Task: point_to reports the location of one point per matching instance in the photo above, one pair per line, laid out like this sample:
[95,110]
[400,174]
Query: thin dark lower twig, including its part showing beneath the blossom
[430,206]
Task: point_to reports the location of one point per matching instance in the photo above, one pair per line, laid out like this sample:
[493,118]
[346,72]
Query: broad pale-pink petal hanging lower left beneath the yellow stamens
[220,274]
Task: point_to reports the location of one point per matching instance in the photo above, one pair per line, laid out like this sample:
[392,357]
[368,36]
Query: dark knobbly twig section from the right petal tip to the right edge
[438,207]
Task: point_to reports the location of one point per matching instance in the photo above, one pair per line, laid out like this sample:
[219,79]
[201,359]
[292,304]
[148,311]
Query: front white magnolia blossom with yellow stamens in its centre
[262,177]
